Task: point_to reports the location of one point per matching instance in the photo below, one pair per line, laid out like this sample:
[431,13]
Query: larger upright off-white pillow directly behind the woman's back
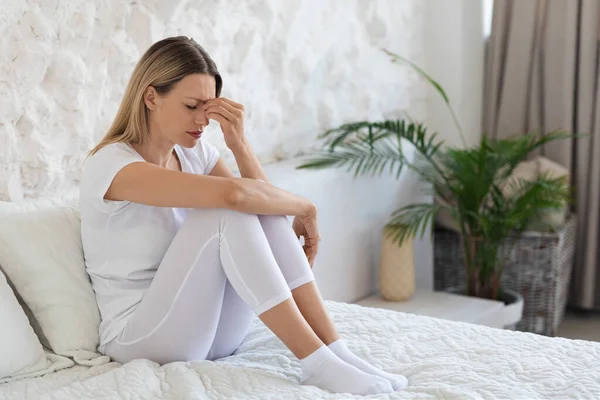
[42,256]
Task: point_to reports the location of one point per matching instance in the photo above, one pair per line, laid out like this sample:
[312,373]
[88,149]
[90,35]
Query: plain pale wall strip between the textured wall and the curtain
[454,54]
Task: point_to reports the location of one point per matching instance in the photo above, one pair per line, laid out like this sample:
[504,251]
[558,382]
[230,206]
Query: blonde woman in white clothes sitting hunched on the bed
[182,253]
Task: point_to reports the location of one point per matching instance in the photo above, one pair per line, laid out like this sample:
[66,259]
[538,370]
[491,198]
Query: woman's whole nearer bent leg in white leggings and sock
[179,316]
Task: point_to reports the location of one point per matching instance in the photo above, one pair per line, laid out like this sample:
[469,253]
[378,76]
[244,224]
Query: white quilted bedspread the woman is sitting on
[441,359]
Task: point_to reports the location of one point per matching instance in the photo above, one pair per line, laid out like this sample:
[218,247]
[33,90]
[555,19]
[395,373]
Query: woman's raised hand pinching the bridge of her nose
[230,115]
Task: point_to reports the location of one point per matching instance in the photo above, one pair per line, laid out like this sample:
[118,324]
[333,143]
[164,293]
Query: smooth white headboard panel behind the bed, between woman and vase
[352,213]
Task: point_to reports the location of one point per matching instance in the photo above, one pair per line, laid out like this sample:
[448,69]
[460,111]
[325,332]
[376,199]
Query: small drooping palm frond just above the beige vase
[407,221]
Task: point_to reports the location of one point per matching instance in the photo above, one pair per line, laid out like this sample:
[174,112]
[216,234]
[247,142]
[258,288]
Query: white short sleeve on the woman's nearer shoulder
[99,172]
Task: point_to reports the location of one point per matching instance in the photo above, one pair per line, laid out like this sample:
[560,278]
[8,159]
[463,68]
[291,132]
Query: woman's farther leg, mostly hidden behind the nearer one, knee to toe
[296,270]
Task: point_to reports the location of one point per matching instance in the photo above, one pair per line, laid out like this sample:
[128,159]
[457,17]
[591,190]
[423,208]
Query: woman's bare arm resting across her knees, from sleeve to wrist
[146,183]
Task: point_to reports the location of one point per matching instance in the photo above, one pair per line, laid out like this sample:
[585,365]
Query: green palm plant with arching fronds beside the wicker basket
[474,186]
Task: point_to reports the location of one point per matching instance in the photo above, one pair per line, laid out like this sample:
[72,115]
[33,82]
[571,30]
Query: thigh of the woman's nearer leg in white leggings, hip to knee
[177,318]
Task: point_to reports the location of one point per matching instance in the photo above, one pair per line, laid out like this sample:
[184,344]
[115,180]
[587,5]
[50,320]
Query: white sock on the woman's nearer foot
[325,370]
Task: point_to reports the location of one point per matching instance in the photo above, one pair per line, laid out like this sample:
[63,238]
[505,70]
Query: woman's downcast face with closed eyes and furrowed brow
[177,116]
